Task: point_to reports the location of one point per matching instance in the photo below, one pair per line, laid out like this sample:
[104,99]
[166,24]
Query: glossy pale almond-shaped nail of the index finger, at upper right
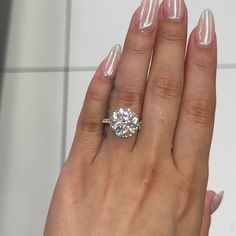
[205,29]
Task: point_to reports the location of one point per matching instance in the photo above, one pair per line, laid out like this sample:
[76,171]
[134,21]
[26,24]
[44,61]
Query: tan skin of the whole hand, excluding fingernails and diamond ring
[153,183]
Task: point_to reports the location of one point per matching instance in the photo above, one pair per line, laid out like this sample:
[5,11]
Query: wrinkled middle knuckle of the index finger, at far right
[200,111]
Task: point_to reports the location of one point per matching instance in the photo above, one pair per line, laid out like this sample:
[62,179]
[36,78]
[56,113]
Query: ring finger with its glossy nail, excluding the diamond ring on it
[131,76]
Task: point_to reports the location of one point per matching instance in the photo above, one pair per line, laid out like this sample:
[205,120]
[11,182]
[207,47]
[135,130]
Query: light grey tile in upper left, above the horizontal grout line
[36,36]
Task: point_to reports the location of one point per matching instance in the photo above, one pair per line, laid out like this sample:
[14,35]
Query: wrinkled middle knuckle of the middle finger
[166,86]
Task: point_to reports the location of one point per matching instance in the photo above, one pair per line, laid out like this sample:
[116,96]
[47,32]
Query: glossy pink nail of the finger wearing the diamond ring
[147,16]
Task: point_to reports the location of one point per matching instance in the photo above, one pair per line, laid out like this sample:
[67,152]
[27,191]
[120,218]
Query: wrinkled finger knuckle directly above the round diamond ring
[127,95]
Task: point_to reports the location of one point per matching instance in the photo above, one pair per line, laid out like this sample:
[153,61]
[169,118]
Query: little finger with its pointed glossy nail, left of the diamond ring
[89,133]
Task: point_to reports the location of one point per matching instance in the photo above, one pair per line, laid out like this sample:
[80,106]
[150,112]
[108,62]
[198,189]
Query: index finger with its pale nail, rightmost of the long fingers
[196,119]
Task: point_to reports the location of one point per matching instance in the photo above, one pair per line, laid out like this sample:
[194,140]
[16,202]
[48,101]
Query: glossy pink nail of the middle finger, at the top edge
[174,9]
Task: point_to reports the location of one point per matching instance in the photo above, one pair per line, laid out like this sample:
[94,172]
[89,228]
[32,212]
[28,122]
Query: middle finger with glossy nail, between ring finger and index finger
[165,85]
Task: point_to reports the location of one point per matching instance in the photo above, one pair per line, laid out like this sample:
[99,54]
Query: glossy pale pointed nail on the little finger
[111,62]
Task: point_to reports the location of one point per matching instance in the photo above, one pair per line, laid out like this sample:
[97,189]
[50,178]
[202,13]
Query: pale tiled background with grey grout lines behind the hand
[49,50]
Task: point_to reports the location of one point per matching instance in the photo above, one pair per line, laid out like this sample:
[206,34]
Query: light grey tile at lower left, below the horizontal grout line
[30,141]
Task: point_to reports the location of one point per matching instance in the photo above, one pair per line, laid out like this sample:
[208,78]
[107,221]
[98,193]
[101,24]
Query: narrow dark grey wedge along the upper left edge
[5,14]
